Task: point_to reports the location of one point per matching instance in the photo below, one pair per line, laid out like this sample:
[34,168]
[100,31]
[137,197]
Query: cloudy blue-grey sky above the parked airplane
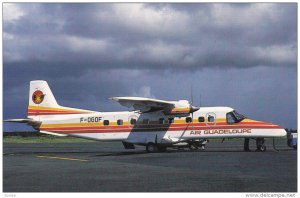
[238,55]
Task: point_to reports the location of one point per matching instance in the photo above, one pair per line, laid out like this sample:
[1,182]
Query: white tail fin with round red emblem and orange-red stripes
[43,102]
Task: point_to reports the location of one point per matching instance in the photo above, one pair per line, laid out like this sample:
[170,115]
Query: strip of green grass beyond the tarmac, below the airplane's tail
[43,139]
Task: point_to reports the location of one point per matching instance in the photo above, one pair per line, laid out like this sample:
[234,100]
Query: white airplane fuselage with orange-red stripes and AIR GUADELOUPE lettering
[142,128]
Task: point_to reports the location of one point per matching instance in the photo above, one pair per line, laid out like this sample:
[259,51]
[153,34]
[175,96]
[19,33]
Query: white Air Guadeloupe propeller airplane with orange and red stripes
[155,124]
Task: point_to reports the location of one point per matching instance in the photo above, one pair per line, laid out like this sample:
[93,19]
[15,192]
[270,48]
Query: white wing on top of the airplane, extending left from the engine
[144,104]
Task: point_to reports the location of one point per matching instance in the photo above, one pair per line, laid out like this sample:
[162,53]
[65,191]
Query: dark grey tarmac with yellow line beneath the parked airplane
[108,167]
